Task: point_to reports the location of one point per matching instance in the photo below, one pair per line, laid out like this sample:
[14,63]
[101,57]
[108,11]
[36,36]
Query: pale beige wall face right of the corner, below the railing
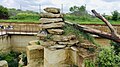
[19,42]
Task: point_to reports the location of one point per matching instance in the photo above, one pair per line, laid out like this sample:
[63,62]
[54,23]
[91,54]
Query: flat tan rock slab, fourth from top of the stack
[52,25]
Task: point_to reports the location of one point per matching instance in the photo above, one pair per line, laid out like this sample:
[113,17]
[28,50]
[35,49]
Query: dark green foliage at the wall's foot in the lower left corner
[11,58]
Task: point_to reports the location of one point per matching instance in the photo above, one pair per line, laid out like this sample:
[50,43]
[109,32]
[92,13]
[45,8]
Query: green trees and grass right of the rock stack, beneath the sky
[81,15]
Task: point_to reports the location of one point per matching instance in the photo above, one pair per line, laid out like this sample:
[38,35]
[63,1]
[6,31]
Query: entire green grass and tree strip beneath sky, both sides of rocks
[78,14]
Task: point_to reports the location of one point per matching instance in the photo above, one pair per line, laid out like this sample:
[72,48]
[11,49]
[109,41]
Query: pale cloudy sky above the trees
[101,6]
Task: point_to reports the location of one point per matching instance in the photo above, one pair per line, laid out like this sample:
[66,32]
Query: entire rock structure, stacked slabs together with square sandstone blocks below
[56,49]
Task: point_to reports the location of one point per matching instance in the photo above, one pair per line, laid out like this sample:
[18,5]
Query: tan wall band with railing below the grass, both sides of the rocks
[20,28]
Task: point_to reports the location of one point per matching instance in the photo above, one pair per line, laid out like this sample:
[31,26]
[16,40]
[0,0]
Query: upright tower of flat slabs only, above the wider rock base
[51,22]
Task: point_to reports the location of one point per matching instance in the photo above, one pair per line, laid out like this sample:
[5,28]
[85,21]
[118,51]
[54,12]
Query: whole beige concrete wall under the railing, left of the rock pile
[15,42]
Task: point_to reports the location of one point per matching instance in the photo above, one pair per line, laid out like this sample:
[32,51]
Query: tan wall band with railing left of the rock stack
[18,28]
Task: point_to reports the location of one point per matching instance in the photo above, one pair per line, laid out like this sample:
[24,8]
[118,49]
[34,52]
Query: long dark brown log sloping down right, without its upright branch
[94,31]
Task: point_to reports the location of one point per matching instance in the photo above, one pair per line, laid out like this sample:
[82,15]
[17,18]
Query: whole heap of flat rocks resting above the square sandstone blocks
[52,24]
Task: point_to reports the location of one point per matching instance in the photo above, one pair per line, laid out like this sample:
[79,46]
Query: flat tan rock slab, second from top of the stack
[51,15]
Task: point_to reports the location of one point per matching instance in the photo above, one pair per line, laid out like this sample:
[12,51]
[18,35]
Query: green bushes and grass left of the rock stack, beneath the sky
[17,15]
